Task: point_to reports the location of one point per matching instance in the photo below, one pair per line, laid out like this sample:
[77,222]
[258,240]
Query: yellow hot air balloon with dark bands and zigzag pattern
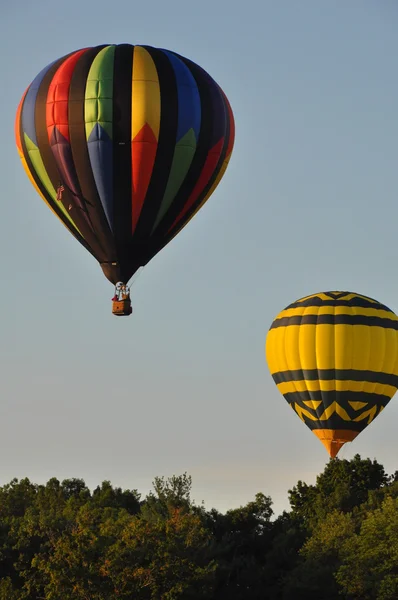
[334,357]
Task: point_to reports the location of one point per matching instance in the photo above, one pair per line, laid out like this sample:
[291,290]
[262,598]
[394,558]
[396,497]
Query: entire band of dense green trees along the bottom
[60,541]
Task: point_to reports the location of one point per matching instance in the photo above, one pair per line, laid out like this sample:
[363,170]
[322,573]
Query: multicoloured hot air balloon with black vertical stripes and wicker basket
[125,144]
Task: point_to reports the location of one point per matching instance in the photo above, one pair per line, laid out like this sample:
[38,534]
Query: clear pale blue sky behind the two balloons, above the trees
[309,203]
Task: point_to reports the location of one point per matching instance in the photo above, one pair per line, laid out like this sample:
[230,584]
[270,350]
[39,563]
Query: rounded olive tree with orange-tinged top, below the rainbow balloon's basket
[161,559]
